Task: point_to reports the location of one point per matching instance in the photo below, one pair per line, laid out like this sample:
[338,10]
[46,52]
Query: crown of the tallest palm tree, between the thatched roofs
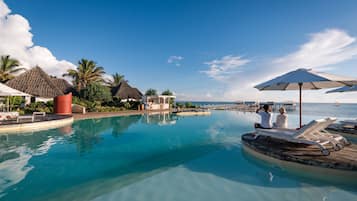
[87,72]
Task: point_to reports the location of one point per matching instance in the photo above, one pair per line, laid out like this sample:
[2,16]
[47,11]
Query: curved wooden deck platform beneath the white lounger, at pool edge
[344,159]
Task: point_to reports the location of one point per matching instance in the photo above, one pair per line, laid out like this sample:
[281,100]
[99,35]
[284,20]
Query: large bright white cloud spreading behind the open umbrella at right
[322,51]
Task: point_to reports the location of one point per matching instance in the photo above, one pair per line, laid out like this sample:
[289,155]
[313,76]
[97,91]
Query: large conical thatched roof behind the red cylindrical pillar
[36,83]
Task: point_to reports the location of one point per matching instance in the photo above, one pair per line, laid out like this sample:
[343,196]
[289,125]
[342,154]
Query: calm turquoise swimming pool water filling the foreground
[156,157]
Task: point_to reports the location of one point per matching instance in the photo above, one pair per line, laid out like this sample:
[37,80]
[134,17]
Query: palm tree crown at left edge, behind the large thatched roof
[8,66]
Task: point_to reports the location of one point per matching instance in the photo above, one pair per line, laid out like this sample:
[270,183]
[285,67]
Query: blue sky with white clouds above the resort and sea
[201,50]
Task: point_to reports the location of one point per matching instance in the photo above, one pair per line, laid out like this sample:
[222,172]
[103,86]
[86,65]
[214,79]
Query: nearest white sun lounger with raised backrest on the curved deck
[313,133]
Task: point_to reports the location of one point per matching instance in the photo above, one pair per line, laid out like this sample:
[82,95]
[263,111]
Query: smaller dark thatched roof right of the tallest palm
[125,91]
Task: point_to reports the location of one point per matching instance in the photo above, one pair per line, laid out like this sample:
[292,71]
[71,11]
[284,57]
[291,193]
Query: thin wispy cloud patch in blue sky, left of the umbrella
[223,69]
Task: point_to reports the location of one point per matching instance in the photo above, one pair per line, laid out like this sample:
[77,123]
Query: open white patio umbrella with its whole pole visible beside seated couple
[306,79]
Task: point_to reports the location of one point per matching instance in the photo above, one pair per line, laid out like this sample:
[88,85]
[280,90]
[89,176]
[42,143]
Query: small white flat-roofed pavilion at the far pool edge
[157,102]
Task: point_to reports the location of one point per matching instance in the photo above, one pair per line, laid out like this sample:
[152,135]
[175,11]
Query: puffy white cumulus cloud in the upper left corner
[16,41]
